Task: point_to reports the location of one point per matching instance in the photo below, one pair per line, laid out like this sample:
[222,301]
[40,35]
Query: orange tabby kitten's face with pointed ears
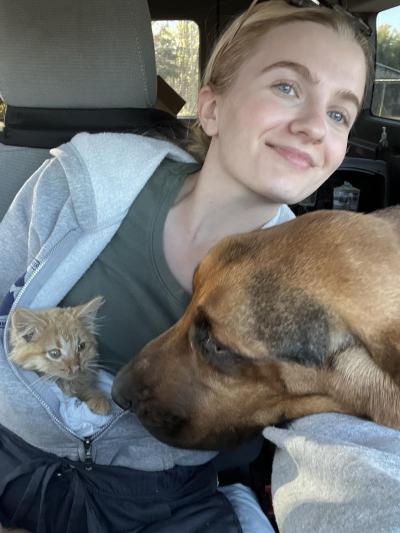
[58,342]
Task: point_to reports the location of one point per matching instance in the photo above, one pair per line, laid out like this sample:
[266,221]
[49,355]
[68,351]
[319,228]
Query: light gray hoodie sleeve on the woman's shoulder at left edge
[30,220]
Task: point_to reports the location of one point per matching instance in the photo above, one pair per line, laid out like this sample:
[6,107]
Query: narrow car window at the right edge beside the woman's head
[386,98]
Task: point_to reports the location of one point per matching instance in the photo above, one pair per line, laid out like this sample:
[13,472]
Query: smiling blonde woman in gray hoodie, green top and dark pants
[130,217]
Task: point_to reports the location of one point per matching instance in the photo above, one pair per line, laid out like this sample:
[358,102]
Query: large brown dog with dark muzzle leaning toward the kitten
[285,322]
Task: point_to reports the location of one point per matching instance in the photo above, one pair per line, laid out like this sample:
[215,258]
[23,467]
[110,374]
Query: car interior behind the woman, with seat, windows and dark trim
[119,65]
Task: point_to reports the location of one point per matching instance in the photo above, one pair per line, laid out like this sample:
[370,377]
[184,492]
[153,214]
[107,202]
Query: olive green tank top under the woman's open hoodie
[142,297]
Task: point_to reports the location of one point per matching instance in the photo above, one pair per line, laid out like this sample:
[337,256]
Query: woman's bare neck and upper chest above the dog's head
[208,209]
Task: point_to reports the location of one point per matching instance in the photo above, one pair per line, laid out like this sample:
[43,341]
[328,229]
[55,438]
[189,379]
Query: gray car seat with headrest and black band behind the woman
[67,67]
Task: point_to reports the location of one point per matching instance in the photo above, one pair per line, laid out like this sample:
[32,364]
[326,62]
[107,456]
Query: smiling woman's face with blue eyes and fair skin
[282,127]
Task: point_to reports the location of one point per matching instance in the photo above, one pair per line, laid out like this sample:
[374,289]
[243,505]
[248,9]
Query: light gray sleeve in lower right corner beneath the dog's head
[335,473]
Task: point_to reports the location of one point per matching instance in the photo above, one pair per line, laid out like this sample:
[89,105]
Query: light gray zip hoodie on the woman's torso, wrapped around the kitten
[59,222]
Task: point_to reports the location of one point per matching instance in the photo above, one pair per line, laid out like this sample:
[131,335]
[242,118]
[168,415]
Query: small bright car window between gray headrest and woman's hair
[177,58]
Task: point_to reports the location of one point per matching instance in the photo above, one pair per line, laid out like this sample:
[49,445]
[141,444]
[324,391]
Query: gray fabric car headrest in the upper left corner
[89,54]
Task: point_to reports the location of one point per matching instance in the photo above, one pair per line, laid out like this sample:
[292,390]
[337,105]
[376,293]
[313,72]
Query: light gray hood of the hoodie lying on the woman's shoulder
[106,171]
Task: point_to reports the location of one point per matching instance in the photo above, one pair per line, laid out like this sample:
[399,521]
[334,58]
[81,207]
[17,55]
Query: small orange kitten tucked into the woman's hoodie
[60,344]
